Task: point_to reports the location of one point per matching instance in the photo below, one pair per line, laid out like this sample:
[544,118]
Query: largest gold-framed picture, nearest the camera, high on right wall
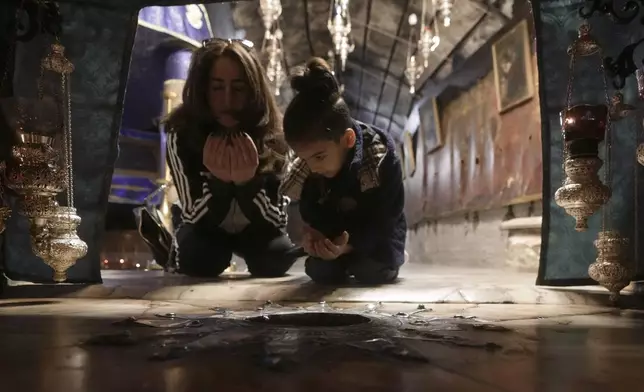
[513,74]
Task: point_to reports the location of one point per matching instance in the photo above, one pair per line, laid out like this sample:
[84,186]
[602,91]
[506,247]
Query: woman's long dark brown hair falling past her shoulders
[260,118]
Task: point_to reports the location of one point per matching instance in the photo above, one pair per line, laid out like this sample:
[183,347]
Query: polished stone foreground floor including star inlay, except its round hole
[208,346]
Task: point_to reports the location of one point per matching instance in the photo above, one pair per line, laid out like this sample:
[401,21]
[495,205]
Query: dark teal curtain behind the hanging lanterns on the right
[566,254]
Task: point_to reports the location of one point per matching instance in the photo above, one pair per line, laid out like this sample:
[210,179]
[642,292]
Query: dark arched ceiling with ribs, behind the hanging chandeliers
[375,86]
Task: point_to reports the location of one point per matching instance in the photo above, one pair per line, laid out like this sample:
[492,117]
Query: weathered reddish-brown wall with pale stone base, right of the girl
[457,195]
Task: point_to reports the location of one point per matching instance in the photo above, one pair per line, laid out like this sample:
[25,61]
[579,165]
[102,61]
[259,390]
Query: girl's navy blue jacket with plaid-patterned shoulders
[366,198]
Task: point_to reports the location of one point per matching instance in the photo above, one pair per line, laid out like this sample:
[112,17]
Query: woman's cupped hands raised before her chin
[231,158]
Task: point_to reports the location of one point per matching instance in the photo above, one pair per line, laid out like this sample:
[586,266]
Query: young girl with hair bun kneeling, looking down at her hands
[348,181]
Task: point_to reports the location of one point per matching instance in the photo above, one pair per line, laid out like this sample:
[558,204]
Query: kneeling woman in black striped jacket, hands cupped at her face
[226,166]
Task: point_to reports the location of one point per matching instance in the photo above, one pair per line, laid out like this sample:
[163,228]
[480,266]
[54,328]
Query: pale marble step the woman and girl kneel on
[417,284]
